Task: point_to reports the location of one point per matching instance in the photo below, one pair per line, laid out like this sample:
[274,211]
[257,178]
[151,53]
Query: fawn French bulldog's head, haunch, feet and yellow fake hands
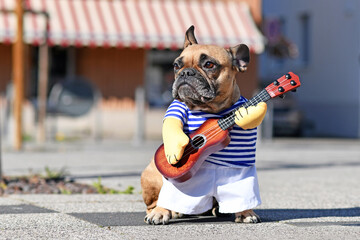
[204,81]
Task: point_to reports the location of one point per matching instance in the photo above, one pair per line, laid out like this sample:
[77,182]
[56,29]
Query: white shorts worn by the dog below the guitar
[235,189]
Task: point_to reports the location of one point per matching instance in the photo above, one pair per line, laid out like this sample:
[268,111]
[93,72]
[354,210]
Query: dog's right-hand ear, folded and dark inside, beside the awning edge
[240,57]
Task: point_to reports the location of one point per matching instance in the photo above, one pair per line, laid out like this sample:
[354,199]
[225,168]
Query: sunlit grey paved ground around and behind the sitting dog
[309,188]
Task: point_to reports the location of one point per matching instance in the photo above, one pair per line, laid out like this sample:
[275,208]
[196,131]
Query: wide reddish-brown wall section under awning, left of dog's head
[116,72]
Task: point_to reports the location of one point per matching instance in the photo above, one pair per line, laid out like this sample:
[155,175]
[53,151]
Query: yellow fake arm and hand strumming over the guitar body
[175,140]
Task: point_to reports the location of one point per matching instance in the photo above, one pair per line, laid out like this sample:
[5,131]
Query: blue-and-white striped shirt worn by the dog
[241,150]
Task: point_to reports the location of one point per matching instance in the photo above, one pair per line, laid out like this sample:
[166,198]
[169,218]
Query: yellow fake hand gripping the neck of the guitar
[250,117]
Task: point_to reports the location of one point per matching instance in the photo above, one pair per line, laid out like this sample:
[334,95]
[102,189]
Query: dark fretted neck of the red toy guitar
[229,120]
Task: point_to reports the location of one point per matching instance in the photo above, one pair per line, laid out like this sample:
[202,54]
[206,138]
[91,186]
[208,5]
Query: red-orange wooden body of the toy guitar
[203,142]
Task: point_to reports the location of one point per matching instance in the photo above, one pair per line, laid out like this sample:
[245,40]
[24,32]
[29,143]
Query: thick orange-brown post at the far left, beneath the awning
[18,74]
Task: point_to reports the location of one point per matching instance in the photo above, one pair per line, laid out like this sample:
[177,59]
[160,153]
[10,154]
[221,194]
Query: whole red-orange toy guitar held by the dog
[213,134]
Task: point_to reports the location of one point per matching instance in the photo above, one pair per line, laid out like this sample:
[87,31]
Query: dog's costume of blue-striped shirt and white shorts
[228,175]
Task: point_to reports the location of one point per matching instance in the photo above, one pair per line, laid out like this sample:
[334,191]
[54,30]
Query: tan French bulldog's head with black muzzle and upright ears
[205,74]
